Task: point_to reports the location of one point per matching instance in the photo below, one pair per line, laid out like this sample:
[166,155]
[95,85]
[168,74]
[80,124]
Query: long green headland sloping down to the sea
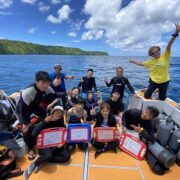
[12,47]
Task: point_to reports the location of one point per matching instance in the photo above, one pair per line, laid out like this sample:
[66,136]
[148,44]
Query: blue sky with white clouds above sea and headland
[119,27]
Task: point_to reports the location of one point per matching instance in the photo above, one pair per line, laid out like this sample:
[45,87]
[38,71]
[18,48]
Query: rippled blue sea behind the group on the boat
[17,71]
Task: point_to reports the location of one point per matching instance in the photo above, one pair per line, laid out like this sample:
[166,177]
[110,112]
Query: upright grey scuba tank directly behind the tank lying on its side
[164,131]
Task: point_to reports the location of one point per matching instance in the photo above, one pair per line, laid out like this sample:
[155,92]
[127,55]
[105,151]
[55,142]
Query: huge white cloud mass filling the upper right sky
[138,25]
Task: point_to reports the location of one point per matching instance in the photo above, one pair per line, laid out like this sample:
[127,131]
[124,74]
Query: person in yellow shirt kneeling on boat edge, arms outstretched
[158,67]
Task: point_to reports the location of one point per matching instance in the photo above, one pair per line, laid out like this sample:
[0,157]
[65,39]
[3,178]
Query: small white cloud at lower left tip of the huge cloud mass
[92,35]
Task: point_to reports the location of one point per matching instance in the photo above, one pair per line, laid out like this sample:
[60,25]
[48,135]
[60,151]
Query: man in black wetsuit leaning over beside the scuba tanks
[142,122]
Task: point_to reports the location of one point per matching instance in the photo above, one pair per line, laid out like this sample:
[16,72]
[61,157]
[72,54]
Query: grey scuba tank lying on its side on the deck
[163,155]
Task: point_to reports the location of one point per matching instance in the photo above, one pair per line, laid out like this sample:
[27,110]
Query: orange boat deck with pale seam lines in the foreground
[107,166]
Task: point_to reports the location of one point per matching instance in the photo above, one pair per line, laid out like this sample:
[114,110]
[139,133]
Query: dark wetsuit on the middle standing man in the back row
[88,84]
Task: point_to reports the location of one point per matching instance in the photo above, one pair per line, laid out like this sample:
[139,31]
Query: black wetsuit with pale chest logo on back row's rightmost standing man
[119,84]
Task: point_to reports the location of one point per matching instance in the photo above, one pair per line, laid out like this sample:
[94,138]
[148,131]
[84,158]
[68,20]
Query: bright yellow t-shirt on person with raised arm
[159,68]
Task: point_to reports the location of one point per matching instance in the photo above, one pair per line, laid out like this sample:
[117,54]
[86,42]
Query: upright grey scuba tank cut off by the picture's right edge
[174,141]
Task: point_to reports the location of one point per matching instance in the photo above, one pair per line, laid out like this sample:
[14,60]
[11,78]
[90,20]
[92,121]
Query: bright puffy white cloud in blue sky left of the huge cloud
[63,15]
